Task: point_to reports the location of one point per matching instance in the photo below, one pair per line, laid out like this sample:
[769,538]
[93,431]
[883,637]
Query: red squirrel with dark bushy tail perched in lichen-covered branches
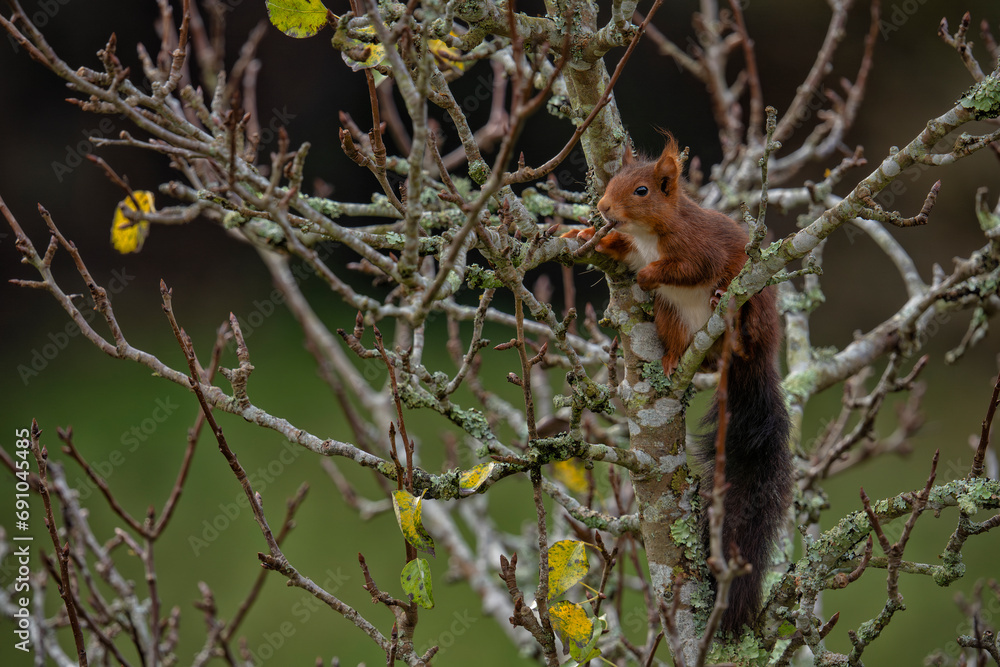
[687,255]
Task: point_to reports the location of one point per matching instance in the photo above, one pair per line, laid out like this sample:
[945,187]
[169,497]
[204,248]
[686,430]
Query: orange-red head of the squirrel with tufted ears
[644,192]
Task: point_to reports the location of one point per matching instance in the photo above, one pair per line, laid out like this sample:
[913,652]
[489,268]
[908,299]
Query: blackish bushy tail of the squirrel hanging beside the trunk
[759,473]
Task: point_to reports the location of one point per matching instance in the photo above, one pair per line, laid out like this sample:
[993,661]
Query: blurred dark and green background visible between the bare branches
[916,77]
